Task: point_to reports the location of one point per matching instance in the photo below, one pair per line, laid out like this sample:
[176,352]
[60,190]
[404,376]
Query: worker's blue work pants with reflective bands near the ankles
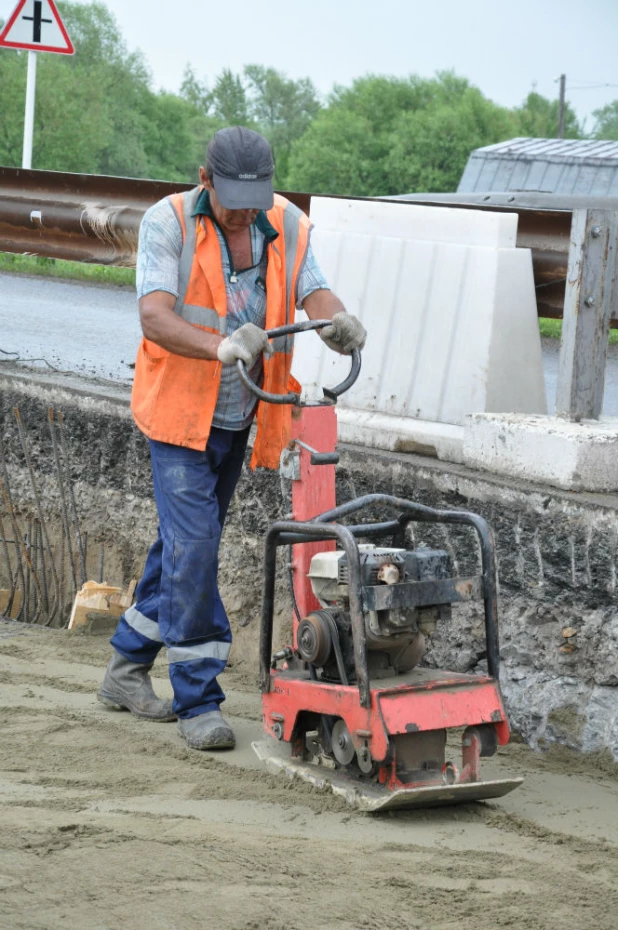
[177,600]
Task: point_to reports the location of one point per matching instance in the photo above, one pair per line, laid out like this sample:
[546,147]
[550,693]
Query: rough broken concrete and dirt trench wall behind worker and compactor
[557,552]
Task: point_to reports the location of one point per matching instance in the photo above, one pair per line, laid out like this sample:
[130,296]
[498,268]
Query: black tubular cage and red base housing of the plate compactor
[419,701]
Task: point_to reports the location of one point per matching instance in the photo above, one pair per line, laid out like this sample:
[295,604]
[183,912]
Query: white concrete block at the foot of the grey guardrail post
[574,456]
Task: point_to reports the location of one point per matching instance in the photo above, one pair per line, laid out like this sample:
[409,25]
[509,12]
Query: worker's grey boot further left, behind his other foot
[127,686]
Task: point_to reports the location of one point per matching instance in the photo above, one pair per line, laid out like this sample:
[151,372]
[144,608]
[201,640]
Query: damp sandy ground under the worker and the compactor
[108,822]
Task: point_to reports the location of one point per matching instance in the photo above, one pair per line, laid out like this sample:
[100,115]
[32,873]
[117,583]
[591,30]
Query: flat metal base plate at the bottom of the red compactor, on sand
[365,796]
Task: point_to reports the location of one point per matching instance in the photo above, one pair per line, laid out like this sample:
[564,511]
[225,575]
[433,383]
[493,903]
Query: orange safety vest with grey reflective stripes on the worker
[174,397]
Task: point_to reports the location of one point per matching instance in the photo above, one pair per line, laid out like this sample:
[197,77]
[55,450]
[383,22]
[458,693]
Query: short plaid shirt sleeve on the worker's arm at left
[158,254]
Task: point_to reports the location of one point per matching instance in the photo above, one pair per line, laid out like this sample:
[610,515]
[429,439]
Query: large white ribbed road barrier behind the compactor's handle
[450,308]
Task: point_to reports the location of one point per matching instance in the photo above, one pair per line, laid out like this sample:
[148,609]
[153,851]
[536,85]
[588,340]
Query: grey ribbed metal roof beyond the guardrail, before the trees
[558,166]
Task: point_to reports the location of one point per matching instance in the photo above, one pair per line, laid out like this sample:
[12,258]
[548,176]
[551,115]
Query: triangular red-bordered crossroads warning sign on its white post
[35,26]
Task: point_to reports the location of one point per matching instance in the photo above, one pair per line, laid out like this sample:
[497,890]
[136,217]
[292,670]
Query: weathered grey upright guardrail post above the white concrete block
[591,296]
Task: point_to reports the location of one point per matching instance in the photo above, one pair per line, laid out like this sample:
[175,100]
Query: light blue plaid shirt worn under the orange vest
[160,245]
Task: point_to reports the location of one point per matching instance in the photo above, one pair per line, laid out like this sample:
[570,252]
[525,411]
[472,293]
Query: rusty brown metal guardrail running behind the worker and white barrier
[96,219]
